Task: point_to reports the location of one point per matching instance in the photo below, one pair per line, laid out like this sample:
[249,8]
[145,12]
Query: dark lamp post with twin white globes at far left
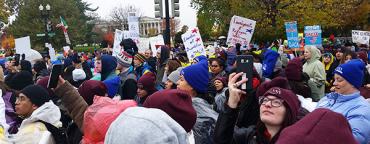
[47,23]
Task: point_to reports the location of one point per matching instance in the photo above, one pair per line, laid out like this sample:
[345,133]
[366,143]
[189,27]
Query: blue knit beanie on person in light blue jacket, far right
[352,71]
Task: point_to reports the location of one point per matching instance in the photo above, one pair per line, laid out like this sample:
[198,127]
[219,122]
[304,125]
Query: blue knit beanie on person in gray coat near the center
[197,76]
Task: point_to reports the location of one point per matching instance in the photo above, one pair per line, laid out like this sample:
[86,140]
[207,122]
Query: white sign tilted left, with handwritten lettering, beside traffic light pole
[193,43]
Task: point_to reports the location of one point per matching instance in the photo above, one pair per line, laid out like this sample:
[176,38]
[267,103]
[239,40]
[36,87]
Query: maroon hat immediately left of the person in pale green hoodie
[294,70]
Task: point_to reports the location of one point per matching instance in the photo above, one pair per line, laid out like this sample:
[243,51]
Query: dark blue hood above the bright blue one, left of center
[109,64]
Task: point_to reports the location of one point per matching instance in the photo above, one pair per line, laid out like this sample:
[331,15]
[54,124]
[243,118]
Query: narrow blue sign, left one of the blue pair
[292,34]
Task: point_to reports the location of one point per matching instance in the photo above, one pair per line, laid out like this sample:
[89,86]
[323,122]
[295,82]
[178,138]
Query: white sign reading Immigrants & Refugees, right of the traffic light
[241,31]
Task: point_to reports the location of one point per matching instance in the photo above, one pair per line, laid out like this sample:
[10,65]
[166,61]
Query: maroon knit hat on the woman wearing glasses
[289,98]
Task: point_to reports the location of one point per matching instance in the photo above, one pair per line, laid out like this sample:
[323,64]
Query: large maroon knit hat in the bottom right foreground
[320,126]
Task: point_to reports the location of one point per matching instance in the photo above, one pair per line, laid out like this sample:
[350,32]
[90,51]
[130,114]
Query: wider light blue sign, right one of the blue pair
[312,35]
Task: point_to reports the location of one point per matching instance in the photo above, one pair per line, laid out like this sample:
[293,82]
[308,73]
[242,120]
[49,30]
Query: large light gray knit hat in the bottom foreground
[141,125]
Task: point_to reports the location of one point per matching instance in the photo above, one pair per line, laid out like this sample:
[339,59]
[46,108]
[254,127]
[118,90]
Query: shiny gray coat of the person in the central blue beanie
[205,123]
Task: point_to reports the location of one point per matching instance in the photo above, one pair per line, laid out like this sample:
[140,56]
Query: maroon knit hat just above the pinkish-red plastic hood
[90,88]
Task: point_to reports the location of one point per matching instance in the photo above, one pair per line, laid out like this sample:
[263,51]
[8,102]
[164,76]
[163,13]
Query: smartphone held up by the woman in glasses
[244,63]
